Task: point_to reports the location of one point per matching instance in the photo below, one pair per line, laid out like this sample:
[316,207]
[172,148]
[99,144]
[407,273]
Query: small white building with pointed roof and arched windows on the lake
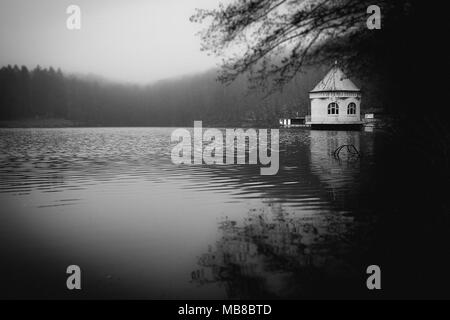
[335,101]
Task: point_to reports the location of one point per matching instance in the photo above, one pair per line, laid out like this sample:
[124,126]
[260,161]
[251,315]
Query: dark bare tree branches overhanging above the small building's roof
[273,40]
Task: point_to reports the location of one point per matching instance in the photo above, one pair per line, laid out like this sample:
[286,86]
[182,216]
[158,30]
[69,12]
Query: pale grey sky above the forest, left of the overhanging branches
[127,40]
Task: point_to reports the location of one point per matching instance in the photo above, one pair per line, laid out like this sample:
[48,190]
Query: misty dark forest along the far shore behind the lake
[47,93]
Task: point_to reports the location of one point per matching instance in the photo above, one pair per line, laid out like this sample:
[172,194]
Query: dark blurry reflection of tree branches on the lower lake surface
[278,254]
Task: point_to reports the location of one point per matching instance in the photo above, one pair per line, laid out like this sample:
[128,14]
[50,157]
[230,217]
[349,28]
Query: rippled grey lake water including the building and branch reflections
[111,201]
